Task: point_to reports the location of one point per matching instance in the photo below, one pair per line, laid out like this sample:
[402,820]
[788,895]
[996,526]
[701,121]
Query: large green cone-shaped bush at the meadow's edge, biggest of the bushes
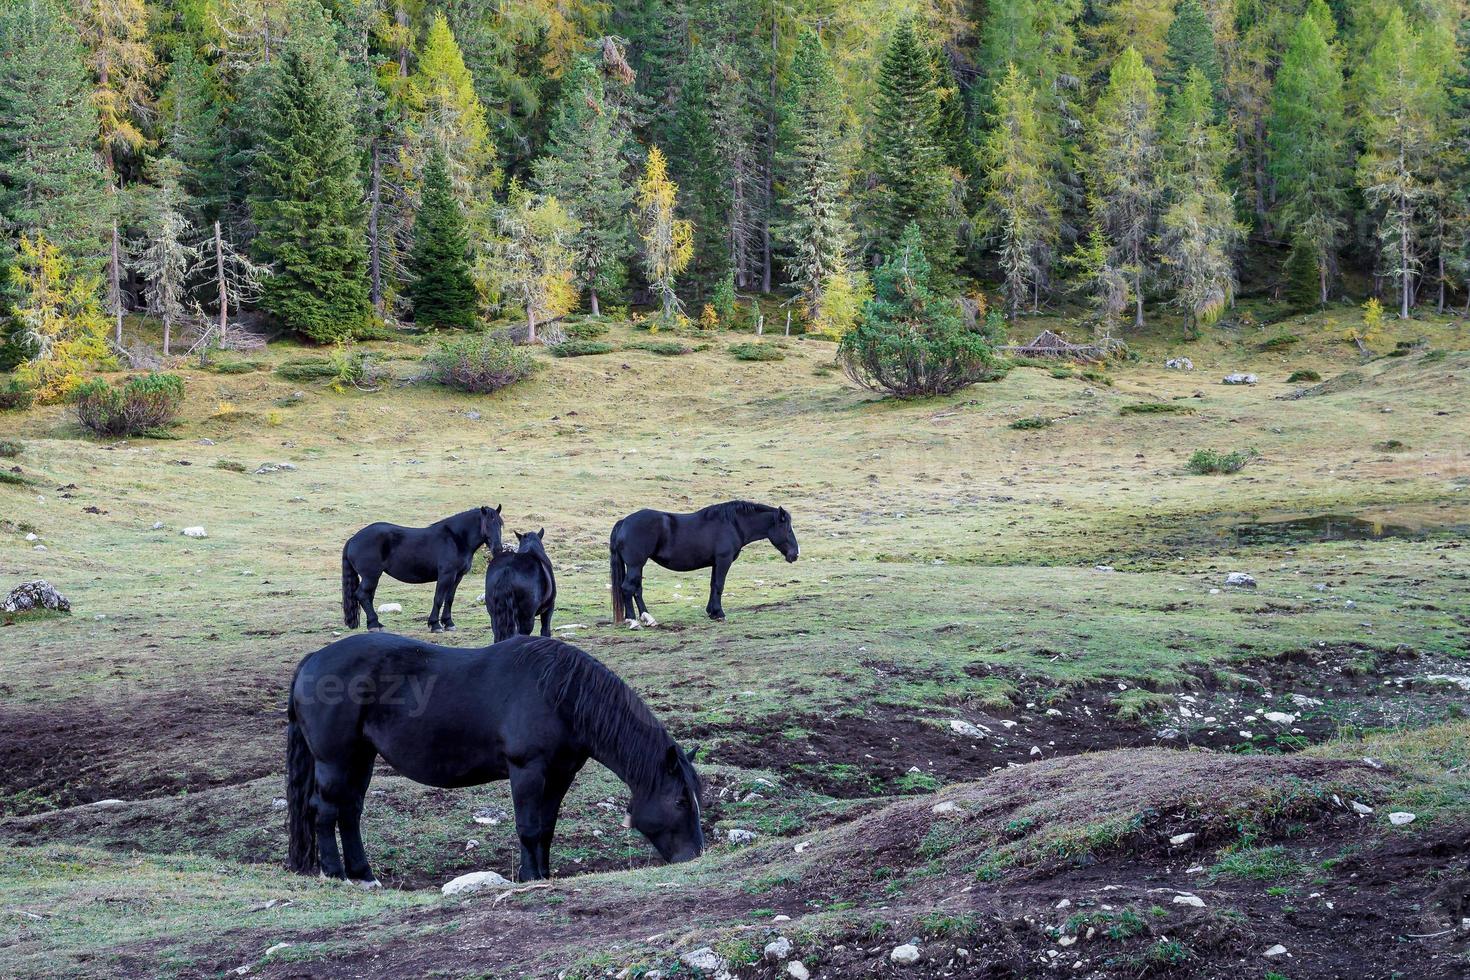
[912,343]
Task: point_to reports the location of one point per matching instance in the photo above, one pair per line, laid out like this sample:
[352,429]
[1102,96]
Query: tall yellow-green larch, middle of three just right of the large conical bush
[1125,162]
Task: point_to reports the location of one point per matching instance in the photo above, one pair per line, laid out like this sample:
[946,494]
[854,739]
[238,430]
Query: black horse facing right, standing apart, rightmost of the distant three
[708,538]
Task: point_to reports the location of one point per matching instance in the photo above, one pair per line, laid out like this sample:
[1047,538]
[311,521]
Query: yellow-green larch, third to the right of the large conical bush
[1199,233]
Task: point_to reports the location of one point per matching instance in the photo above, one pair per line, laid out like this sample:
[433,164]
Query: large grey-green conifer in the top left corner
[51,180]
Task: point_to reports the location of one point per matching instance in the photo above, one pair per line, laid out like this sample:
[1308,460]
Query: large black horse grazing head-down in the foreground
[533,710]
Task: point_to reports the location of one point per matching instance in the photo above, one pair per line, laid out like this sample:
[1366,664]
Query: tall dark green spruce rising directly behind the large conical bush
[908,162]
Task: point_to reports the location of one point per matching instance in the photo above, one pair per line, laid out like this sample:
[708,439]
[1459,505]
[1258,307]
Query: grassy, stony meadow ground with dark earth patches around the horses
[978,716]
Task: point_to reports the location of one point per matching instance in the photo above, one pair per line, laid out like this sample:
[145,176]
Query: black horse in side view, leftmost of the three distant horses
[440,553]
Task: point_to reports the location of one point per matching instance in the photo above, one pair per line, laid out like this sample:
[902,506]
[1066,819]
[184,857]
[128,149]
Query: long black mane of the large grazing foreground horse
[602,707]
